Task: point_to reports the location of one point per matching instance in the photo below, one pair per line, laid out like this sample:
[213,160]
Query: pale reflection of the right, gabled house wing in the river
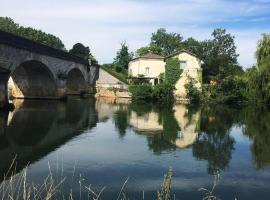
[189,123]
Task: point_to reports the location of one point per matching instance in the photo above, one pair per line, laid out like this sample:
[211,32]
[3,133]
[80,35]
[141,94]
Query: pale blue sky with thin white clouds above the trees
[104,24]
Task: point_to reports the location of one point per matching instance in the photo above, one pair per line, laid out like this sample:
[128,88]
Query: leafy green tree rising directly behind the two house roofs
[167,42]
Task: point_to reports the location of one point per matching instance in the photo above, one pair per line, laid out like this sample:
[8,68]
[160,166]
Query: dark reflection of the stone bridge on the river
[36,128]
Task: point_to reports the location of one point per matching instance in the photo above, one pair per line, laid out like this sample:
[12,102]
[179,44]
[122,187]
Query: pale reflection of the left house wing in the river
[146,123]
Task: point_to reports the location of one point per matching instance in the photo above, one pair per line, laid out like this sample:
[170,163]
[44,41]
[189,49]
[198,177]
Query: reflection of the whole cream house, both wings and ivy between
[180,128]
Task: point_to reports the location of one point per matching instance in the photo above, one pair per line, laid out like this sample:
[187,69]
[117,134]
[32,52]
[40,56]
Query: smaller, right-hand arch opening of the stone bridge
[76,82]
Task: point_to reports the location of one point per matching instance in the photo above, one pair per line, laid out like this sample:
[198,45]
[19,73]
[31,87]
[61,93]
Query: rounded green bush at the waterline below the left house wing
[141,92]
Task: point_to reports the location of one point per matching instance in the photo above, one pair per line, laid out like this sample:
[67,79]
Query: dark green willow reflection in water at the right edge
[257,127]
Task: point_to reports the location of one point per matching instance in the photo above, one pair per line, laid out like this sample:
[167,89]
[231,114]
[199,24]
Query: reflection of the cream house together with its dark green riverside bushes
[166,128]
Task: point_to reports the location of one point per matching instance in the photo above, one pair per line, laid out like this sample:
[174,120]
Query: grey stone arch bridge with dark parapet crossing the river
[33,70]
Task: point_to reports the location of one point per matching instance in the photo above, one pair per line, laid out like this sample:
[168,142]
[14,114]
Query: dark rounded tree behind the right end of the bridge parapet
[82,51]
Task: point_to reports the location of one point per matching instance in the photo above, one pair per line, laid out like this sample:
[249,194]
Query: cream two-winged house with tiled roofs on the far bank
[150,66]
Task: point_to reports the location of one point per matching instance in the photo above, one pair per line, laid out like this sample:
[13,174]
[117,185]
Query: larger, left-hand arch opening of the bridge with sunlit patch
[32,79]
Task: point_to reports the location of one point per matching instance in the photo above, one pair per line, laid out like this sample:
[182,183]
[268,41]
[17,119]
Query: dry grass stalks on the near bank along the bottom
[18,187]
